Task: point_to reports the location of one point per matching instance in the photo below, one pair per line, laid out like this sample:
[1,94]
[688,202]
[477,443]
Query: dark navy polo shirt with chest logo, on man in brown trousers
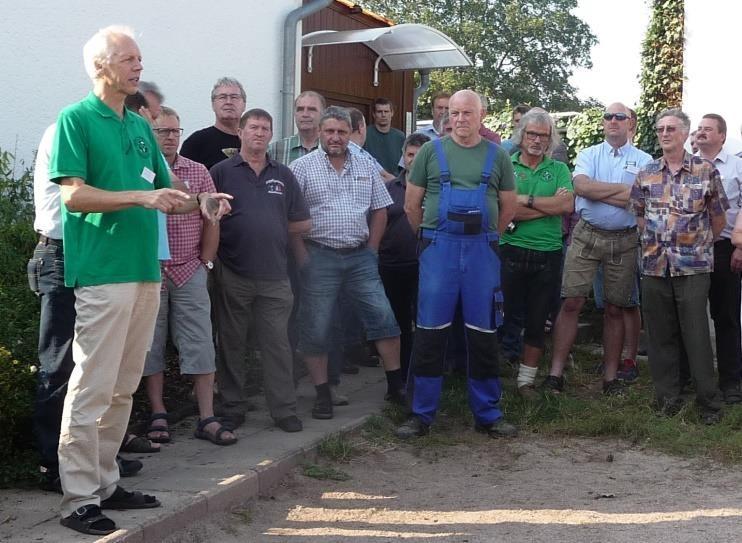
[253,239]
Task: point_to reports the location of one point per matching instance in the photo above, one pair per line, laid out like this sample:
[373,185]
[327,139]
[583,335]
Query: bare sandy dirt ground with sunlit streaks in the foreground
[526,489]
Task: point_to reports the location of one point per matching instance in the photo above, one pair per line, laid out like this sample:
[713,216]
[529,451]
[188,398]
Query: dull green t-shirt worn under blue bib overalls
[466,165]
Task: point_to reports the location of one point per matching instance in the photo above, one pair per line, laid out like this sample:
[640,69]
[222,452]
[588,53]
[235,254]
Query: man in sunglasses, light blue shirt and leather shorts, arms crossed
[605,234]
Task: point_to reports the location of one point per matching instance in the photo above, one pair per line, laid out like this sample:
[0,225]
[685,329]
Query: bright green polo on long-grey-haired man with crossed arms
[544,233]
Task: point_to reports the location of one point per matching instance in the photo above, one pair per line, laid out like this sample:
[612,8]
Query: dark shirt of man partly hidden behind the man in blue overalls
[398,247]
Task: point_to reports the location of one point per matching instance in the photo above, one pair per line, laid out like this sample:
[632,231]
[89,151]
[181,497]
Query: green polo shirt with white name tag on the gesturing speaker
[113,154]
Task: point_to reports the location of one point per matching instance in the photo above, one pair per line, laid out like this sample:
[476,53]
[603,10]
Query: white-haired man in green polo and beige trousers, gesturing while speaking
[112,178]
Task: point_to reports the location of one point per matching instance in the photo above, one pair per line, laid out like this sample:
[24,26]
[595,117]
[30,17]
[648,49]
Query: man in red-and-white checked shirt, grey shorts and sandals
[184,301]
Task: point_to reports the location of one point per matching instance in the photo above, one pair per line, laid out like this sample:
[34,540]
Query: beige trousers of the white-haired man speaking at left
[113,332]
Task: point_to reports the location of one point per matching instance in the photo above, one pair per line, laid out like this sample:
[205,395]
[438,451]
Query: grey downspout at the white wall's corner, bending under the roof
[290,27]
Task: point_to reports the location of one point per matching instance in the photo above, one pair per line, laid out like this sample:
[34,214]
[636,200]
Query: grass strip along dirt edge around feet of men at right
[581,411]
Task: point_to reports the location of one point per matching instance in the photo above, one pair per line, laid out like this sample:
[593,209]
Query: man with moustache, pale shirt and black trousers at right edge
[724,293]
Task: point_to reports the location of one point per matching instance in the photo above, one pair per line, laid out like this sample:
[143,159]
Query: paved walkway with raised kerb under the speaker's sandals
[194,478]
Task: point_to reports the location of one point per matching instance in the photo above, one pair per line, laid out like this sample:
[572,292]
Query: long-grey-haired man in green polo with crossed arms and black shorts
[531,248]
